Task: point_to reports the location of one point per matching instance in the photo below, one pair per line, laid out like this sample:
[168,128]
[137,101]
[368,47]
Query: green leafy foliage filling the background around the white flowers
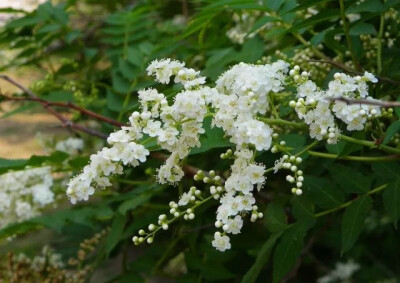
[94,54]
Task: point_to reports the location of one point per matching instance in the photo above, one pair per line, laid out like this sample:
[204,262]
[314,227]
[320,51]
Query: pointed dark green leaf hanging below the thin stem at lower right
[353,221]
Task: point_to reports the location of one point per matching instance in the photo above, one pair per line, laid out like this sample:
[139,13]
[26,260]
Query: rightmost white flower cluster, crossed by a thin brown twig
[319,108]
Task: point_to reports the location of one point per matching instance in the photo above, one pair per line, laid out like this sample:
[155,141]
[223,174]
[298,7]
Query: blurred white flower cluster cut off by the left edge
[23,194]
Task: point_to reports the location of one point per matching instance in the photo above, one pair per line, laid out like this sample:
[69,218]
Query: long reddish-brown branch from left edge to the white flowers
[67,105]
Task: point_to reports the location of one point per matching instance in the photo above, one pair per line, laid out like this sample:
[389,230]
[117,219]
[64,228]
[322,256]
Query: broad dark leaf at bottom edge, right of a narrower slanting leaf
[289,248]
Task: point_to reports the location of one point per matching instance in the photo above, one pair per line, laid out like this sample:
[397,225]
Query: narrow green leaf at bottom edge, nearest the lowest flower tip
[261,260]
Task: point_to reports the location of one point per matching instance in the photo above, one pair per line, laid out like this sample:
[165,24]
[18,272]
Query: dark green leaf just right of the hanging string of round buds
[323,192]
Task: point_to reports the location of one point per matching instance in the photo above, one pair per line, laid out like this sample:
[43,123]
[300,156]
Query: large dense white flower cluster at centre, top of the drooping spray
[242,94]
